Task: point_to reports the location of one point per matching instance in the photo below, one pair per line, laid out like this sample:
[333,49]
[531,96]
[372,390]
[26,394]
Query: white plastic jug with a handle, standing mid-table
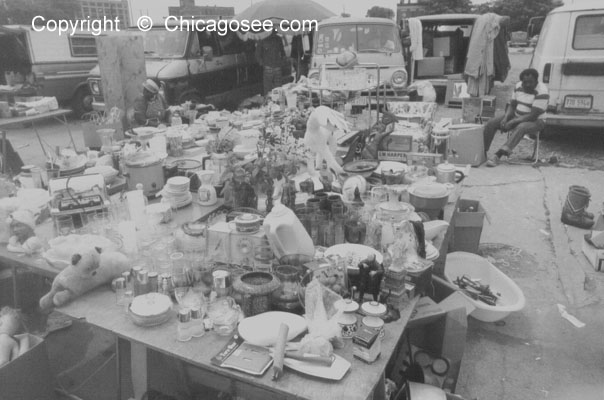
[286,234]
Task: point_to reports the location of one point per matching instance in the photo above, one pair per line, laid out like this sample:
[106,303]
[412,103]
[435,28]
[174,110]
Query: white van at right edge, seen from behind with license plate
[569,57]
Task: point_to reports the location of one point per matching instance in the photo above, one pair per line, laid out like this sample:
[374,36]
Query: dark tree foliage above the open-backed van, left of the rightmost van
[519,11]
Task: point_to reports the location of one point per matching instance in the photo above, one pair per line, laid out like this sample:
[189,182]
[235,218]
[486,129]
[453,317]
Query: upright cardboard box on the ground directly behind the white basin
[467,225]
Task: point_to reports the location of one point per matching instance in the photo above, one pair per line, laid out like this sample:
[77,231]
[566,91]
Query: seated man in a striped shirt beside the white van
[528,102]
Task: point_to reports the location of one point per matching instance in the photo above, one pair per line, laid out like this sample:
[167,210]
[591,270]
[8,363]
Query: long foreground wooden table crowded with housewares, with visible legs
[98,308]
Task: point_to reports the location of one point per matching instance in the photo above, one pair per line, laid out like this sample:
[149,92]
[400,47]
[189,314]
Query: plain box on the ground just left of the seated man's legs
[467,142]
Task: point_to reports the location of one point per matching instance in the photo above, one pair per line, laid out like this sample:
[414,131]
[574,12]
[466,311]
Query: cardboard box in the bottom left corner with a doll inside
[28,376]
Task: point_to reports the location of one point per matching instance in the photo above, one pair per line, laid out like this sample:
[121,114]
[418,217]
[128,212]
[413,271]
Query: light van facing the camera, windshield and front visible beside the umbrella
[374,40]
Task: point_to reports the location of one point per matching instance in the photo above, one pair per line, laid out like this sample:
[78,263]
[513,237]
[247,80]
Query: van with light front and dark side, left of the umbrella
[204,67]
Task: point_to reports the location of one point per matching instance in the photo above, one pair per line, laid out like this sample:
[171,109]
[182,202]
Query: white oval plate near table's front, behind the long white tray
[263,329]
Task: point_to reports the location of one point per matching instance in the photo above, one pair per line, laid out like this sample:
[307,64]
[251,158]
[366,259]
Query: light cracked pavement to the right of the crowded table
[537,354]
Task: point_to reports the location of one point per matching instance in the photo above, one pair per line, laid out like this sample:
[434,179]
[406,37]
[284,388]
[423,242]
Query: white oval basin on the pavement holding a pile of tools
[512,299]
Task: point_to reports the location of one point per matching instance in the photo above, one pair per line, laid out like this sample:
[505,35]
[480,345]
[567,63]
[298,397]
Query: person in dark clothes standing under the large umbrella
[270,53]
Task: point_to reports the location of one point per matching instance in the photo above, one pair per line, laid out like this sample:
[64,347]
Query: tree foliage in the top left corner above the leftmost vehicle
[23,11]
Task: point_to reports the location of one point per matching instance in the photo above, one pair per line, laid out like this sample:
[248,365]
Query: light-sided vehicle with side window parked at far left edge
[58,65]
